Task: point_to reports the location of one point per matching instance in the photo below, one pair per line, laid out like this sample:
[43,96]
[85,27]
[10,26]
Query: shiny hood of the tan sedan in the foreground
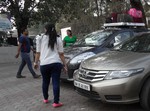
[115,60]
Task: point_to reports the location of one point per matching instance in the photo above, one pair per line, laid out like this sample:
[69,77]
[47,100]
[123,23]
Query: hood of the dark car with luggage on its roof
[70,52]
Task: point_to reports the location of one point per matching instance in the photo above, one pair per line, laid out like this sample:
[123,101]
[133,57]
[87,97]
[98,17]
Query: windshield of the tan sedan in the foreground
[137,44]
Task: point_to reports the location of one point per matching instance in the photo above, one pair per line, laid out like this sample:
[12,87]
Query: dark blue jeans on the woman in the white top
[54,71]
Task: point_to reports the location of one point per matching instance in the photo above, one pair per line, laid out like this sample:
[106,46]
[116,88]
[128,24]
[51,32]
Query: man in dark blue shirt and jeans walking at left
[24,47]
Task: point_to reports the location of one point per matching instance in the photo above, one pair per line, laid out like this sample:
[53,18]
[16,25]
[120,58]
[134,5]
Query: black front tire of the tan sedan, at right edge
[145,96]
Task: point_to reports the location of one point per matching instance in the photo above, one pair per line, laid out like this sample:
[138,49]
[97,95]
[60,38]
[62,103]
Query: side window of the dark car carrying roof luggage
[121,37]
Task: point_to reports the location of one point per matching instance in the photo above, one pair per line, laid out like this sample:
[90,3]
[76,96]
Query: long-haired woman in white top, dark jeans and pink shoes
[49,51]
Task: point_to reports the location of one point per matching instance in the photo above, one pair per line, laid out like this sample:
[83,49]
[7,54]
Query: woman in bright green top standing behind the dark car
[69,39]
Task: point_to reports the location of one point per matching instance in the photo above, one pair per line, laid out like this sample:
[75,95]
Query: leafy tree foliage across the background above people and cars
[33,12]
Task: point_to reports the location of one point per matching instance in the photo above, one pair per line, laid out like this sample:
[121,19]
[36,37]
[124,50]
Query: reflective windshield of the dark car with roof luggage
[94,39]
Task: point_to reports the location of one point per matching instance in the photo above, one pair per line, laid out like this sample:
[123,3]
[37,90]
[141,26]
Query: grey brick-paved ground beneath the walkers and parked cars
[25,95]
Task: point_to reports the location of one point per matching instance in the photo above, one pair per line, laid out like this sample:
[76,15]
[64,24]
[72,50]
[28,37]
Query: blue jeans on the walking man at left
[26,60]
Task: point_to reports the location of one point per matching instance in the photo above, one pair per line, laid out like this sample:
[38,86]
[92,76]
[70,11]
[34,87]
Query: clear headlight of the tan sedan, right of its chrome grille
[123,74]
